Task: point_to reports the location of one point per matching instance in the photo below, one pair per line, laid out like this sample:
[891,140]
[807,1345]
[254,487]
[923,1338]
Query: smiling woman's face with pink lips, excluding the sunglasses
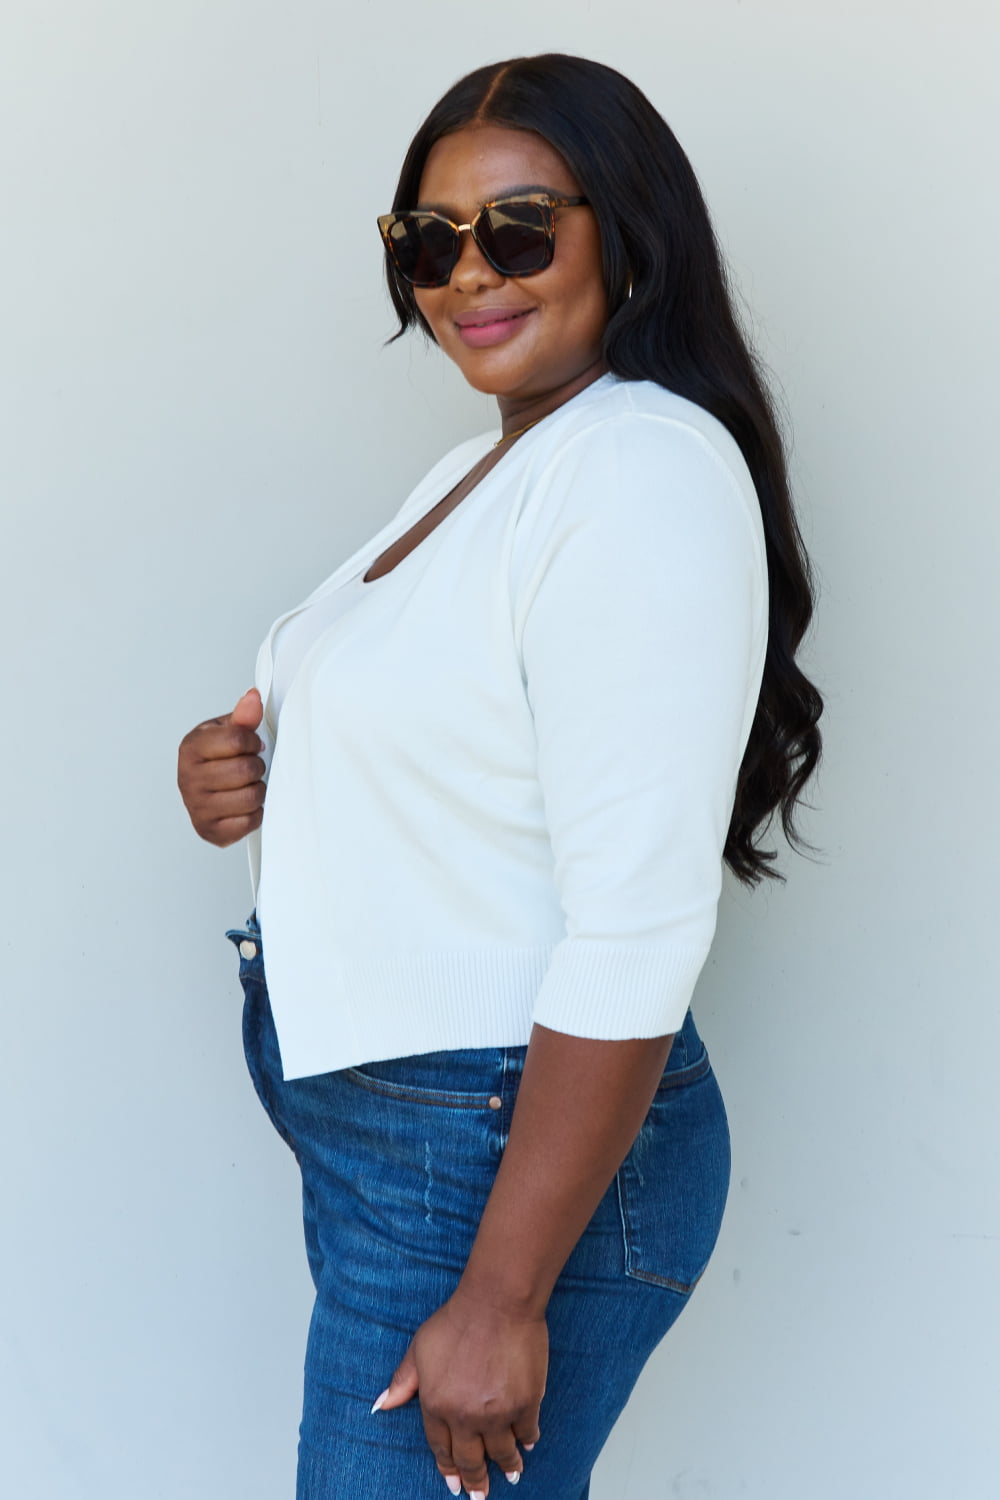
[521,340]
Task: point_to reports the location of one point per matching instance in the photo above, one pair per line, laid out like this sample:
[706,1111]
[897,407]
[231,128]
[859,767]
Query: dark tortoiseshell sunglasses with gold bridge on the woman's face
[518,236]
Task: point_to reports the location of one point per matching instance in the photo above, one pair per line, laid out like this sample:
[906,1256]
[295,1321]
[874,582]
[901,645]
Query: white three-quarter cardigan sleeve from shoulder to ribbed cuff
[639,599]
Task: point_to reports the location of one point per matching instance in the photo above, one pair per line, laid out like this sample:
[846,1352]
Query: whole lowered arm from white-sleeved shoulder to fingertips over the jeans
[639,607]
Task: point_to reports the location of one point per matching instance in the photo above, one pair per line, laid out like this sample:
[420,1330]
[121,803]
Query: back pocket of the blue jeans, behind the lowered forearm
[674,1184]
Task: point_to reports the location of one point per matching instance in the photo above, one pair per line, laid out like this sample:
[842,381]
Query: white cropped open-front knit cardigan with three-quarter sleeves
[501,781]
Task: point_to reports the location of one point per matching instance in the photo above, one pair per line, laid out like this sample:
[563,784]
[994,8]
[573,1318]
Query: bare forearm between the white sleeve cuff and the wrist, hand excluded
[579,1109]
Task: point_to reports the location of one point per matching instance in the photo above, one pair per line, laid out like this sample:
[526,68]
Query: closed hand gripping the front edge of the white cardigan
[221,775]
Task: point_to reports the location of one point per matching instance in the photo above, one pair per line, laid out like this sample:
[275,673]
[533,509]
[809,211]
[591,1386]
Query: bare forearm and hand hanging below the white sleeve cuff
[579,1109]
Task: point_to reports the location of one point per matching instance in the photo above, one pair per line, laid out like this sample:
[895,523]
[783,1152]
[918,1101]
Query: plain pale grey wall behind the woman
[199,424]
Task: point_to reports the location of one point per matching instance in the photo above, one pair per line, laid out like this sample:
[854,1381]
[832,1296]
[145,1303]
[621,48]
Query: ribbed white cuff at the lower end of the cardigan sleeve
[614,992]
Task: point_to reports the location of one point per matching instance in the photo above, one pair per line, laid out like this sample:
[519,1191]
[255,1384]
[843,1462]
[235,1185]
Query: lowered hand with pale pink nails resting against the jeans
[481,1375]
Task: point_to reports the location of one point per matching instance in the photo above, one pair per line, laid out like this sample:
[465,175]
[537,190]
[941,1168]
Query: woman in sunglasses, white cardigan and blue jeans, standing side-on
[512,742]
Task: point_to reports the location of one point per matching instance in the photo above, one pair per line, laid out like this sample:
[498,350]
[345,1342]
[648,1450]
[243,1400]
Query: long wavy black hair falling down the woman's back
[680,329]
